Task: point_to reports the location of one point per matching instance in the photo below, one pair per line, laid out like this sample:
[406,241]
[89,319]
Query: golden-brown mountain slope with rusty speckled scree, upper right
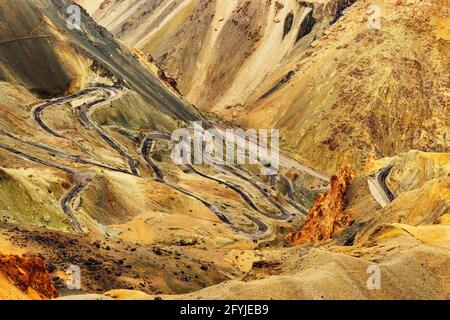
[360,94]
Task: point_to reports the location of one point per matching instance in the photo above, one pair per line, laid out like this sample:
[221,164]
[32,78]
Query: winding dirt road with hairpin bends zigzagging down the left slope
[84,113]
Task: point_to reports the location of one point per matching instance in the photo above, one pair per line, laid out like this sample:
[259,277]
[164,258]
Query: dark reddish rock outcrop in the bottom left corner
[29,275]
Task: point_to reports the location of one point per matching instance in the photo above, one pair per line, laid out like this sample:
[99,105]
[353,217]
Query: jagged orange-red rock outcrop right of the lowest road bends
[328,215]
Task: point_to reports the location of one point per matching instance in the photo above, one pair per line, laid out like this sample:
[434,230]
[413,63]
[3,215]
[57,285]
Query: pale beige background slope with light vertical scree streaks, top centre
[191,39]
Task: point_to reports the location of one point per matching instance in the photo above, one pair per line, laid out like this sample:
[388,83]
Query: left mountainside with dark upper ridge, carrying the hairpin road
[86,174]
